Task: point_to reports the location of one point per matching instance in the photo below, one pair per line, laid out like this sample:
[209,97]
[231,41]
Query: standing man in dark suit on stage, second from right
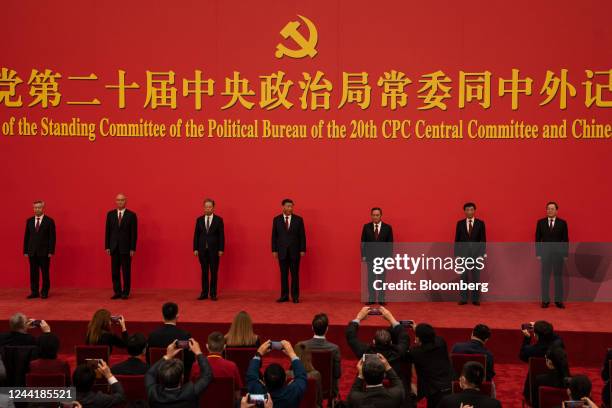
[470,242]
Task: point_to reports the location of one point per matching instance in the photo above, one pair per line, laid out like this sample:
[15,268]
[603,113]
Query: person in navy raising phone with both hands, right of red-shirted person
[283,395]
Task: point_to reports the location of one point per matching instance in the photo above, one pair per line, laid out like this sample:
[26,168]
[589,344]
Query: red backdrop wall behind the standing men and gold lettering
[421,185]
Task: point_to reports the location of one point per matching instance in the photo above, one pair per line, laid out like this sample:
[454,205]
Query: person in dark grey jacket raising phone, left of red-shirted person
[164,384]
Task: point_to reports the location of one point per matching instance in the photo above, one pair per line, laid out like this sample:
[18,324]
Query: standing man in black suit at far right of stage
[552,244]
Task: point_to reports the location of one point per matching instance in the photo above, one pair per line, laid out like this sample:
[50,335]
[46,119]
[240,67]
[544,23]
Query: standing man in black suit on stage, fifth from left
[376,241]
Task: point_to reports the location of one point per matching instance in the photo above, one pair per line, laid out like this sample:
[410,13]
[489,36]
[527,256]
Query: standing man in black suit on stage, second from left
[120,244]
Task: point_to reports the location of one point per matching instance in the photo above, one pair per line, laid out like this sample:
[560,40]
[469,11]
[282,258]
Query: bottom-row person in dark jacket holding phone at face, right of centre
[368,389]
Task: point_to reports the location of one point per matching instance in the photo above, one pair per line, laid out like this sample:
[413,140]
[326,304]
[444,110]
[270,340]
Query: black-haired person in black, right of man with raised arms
[432,365]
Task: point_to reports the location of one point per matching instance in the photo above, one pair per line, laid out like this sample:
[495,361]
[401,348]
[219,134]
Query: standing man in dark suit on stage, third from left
[208,246]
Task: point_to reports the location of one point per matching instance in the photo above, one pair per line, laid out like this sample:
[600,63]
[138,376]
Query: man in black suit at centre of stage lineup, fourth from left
[289,246]
